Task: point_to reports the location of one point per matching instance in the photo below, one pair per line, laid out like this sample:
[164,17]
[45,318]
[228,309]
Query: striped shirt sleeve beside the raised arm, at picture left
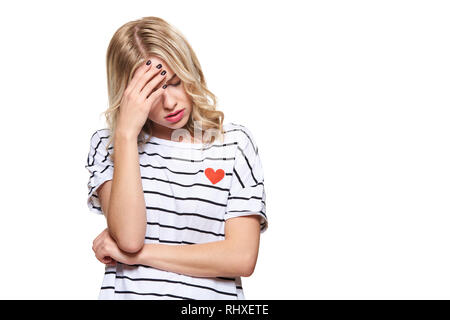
[100,168]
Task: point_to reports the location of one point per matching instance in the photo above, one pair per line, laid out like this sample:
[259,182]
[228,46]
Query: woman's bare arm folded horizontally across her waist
[235,256]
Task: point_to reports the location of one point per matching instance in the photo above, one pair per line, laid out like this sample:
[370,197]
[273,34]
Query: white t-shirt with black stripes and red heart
[190,190]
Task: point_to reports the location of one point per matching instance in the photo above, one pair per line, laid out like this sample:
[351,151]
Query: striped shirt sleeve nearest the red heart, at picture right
[247,194]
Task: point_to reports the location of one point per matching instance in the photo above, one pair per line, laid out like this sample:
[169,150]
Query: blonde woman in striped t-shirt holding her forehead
[184,217]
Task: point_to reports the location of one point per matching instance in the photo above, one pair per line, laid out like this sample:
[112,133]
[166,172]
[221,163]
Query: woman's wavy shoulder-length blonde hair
[129,47]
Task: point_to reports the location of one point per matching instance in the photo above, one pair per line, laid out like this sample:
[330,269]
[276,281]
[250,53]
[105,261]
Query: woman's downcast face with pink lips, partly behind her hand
[173,99]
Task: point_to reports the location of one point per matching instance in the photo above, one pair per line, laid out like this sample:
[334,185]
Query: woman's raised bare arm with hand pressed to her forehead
[122,199]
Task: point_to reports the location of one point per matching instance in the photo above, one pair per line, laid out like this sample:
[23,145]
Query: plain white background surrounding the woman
[348,102]
